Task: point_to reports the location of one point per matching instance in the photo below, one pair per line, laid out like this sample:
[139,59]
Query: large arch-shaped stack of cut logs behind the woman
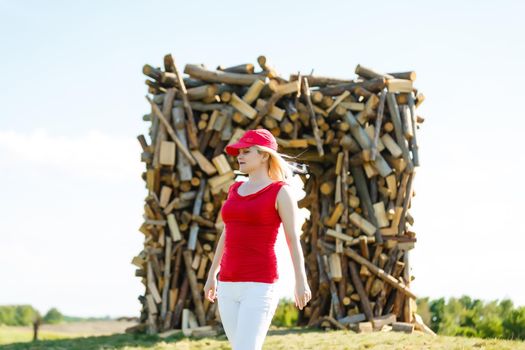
[358,138]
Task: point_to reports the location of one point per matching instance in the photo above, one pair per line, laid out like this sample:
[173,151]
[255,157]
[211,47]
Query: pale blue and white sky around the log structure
[72,101]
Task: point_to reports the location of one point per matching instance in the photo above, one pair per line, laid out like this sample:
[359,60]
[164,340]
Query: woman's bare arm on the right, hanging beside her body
[287,208]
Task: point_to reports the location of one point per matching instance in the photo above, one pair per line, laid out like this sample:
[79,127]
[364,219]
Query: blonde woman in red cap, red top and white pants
[245,257]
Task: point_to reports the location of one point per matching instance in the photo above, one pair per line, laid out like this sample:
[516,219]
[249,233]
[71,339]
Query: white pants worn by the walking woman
[246,310]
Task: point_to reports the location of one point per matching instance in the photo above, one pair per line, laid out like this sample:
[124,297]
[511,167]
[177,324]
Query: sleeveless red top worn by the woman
[251,224]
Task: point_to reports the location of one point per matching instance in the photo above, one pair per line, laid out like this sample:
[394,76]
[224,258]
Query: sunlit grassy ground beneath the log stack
[14,338]
